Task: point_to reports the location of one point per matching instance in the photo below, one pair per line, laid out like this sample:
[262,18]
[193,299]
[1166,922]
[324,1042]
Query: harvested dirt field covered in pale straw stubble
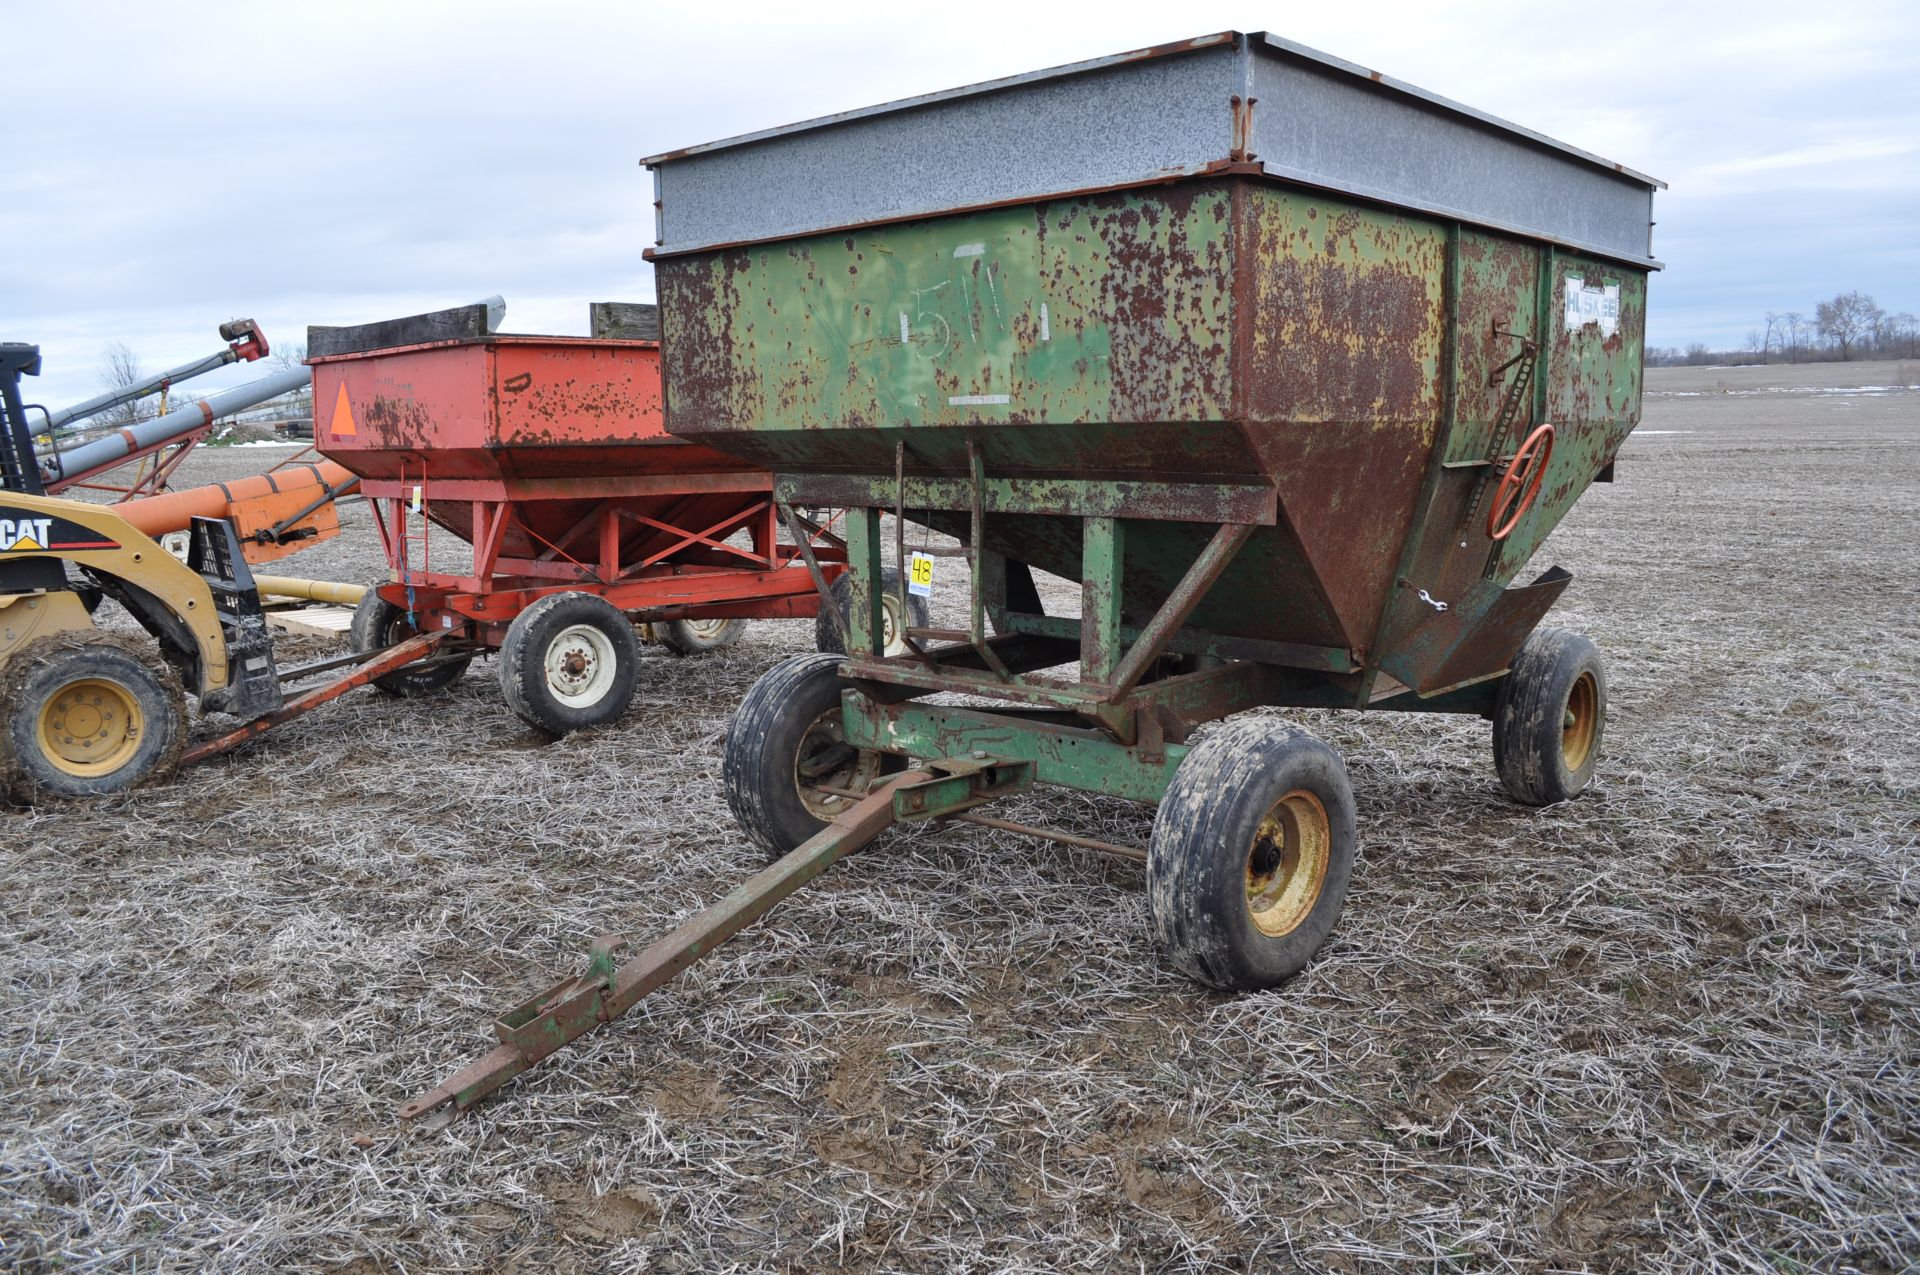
[1671,1026]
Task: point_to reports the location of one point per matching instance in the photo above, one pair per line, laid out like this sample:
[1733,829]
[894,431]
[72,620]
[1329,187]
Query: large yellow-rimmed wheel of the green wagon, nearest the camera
[1251,855]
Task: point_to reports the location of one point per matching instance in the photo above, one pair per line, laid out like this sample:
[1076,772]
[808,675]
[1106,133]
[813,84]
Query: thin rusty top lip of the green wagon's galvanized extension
[1257,39]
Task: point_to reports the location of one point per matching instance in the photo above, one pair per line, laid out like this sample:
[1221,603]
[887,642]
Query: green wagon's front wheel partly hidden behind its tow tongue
[788,765]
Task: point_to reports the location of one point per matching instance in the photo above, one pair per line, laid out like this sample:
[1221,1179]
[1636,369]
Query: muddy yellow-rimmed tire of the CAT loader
[87,715]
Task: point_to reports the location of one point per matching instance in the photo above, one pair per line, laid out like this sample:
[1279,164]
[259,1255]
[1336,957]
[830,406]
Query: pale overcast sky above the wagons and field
[172,166]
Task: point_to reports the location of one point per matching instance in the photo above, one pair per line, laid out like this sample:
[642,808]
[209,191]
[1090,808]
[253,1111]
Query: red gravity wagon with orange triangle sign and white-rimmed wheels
[531,504]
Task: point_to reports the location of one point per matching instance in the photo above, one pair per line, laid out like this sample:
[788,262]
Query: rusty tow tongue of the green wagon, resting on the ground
[608,990]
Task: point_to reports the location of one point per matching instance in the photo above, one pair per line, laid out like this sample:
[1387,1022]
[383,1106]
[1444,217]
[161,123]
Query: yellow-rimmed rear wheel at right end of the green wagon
[1550,717]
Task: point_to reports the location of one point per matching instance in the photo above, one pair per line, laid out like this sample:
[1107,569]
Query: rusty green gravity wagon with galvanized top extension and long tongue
[1287,364]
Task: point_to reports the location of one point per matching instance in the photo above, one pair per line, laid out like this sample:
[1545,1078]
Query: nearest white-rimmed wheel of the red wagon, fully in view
[569,662]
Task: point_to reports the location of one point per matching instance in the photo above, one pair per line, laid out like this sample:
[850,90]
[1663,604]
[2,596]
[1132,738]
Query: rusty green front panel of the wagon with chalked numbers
[1078,312]
